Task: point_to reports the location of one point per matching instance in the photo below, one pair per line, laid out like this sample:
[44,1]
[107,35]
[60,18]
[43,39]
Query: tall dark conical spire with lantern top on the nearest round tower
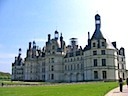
[97,34]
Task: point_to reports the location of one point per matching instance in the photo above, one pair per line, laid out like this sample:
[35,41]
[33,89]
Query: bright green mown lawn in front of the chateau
[82,89]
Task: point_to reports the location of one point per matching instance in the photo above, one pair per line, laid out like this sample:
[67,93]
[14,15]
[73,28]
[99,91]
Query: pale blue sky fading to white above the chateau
[22,21]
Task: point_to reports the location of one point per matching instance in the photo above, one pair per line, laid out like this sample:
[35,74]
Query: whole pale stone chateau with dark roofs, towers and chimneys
[99,60]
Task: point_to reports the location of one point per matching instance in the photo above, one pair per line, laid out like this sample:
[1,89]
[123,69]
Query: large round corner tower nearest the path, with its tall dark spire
[101,56]
